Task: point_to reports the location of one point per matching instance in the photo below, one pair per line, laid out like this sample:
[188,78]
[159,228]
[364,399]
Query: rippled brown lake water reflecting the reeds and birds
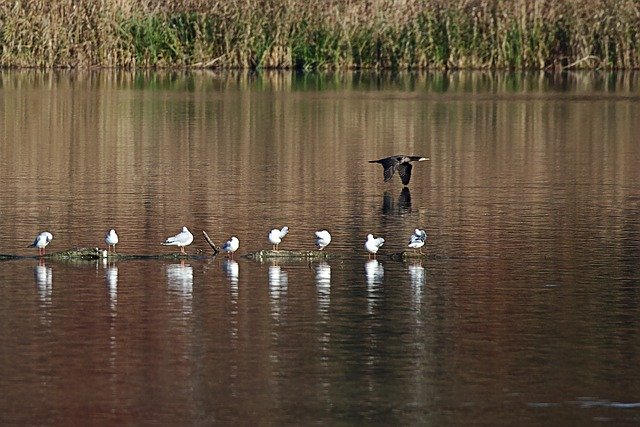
[526,311]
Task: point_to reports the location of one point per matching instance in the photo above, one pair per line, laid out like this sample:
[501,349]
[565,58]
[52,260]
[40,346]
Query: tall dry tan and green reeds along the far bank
[321,34]
